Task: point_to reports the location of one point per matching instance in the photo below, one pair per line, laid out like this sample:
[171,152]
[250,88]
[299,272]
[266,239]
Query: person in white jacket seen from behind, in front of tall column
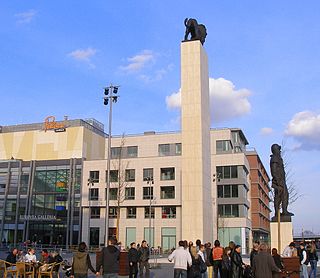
[182,259]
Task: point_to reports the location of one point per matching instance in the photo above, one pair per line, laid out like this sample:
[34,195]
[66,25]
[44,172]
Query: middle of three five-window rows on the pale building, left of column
[166,192]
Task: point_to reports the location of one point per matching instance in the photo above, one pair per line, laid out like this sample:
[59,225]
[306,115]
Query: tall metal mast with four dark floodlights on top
[109,98]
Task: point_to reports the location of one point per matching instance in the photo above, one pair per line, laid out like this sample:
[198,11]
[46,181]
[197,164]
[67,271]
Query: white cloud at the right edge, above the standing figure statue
[305,128]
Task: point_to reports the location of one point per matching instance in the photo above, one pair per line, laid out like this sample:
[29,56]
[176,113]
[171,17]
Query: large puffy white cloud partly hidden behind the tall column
[225,101]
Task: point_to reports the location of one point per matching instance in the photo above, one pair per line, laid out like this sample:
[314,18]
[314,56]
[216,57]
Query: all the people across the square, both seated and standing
[190,260]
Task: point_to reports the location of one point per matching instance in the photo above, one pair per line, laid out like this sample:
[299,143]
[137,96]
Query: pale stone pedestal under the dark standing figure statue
[286,235]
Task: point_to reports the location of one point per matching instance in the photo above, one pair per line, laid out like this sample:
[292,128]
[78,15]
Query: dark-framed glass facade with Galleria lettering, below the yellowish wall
[40,201]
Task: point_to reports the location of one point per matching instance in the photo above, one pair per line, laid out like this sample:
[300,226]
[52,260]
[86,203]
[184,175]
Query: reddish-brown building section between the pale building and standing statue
[260,198]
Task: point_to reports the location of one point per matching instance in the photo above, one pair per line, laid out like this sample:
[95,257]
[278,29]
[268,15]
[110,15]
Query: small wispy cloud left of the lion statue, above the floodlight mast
[138,62]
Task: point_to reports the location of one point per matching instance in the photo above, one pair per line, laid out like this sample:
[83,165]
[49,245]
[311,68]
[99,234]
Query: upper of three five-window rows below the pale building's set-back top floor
[130,175]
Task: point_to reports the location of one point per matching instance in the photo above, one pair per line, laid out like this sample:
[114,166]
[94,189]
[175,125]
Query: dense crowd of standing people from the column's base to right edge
[202,261]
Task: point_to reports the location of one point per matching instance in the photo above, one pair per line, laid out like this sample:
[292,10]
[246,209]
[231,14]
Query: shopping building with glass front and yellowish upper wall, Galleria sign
[40,178]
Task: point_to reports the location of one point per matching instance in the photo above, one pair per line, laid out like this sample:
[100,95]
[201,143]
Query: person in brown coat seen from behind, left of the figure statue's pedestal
[263,263]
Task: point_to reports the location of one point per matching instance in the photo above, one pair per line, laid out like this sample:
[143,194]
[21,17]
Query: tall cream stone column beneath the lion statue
[195,117]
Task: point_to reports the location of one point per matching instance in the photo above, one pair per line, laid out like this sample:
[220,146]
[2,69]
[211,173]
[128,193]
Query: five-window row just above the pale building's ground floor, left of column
[166,212]
